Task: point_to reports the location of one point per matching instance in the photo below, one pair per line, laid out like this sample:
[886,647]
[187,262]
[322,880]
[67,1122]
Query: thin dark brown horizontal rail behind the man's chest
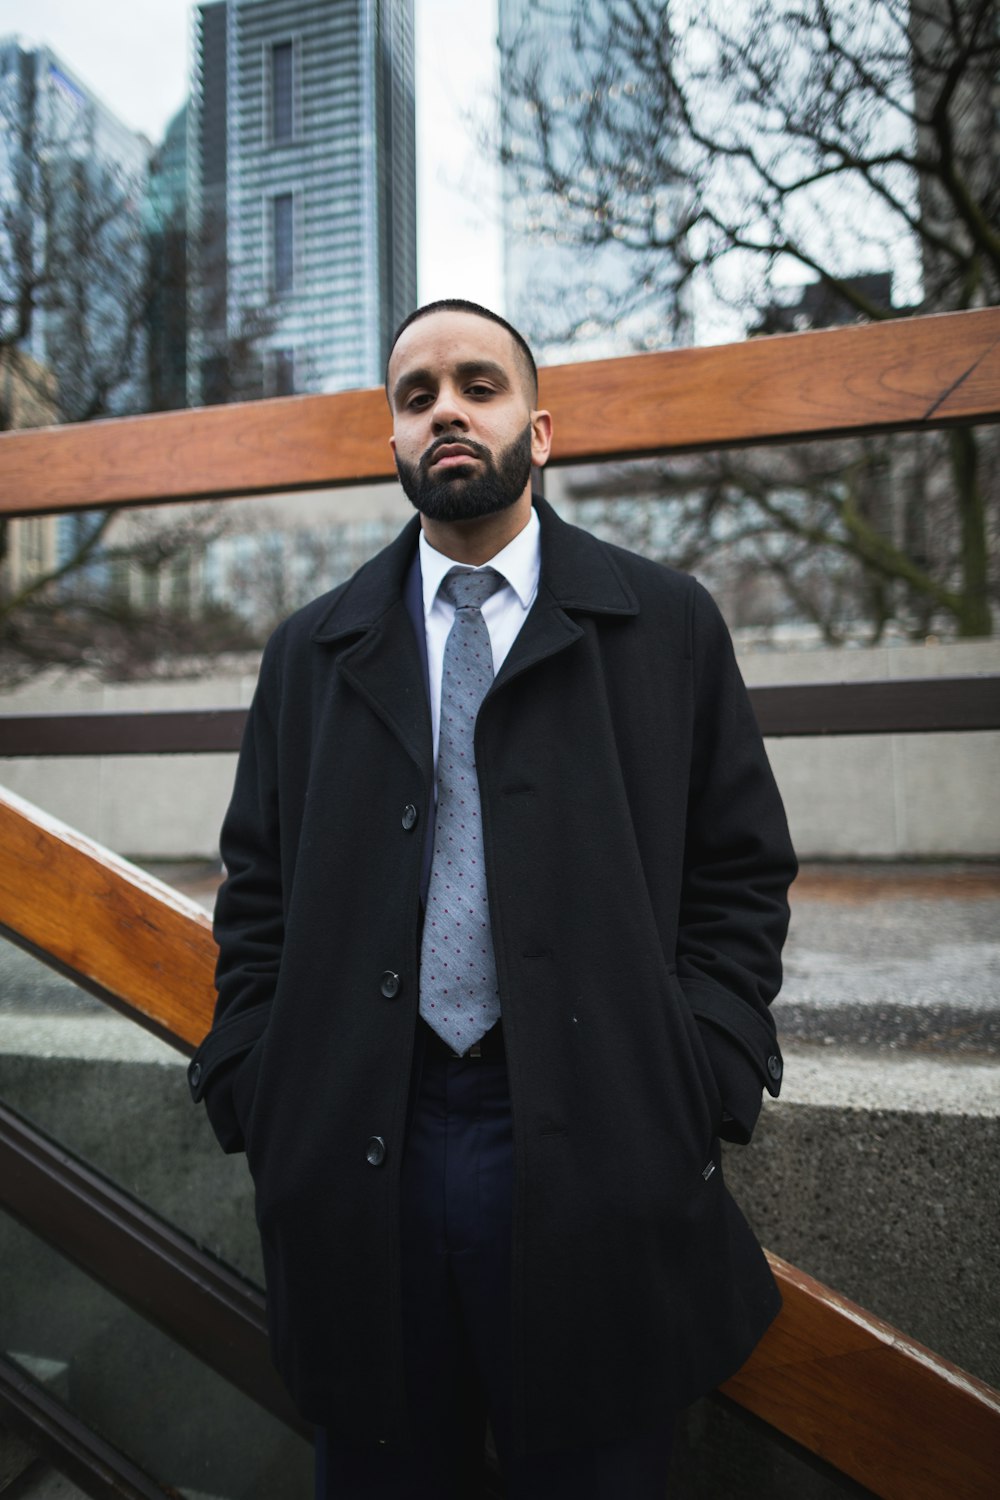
[900,706]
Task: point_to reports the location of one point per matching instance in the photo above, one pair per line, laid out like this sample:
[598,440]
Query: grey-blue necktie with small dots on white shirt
[458,973]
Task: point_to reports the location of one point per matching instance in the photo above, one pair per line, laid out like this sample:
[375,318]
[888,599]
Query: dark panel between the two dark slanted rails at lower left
[127,1381]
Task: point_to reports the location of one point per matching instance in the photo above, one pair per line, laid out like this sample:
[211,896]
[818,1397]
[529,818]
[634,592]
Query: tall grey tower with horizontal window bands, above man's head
[304,194]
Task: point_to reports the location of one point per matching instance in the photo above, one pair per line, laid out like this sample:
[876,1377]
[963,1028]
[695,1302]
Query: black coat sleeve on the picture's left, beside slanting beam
[250,922]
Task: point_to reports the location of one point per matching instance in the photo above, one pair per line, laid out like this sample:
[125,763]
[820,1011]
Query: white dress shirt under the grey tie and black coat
[504,611]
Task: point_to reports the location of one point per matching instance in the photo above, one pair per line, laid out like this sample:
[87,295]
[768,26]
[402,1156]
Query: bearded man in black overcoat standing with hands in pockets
[506,899]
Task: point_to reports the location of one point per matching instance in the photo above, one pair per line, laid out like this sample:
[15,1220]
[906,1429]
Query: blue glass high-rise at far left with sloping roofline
[73,253]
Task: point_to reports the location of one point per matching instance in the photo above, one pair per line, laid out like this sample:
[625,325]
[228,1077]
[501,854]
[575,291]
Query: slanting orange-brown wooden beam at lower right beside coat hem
[869,1400]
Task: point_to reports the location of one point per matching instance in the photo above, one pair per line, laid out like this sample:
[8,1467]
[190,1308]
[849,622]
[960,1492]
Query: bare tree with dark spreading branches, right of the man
[738,151]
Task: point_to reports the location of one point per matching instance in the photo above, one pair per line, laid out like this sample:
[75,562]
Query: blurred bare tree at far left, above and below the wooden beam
[91,272]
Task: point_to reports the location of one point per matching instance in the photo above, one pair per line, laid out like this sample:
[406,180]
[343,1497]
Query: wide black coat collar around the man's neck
[578,574]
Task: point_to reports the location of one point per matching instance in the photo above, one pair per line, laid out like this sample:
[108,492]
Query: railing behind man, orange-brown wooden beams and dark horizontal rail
[828,1375]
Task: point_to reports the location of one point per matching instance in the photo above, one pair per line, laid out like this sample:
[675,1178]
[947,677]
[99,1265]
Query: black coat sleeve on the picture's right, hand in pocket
[738,866]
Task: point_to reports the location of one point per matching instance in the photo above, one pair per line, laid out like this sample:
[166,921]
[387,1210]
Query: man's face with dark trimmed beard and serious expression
[464,430]
